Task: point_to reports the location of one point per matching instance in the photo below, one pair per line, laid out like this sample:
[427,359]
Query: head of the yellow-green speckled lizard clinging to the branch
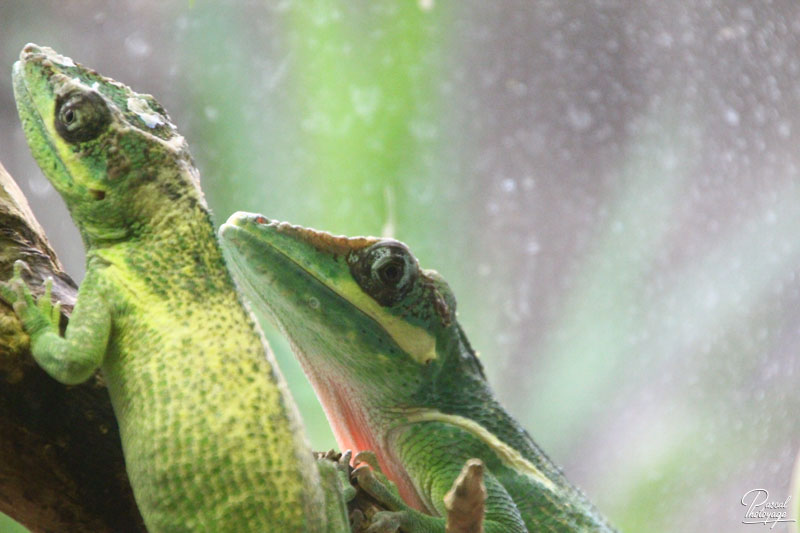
[97,141]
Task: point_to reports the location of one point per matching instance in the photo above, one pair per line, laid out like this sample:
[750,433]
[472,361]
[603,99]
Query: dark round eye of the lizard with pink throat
[386,271]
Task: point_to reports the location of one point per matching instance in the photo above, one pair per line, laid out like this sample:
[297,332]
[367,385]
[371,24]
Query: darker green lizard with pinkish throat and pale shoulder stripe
[379,340]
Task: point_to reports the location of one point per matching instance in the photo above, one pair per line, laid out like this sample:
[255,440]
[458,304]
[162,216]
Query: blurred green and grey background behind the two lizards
[611,188]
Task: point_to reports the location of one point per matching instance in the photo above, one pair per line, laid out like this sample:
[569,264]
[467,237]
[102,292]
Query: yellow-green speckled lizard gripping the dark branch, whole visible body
[211,437]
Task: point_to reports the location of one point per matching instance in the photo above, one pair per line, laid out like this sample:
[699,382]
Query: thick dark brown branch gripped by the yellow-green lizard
[61,465]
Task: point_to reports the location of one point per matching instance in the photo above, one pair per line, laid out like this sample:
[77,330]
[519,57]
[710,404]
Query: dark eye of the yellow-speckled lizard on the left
[81,116]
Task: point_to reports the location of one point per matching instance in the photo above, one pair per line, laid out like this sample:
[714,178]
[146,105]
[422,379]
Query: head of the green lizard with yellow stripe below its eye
[359,310]
